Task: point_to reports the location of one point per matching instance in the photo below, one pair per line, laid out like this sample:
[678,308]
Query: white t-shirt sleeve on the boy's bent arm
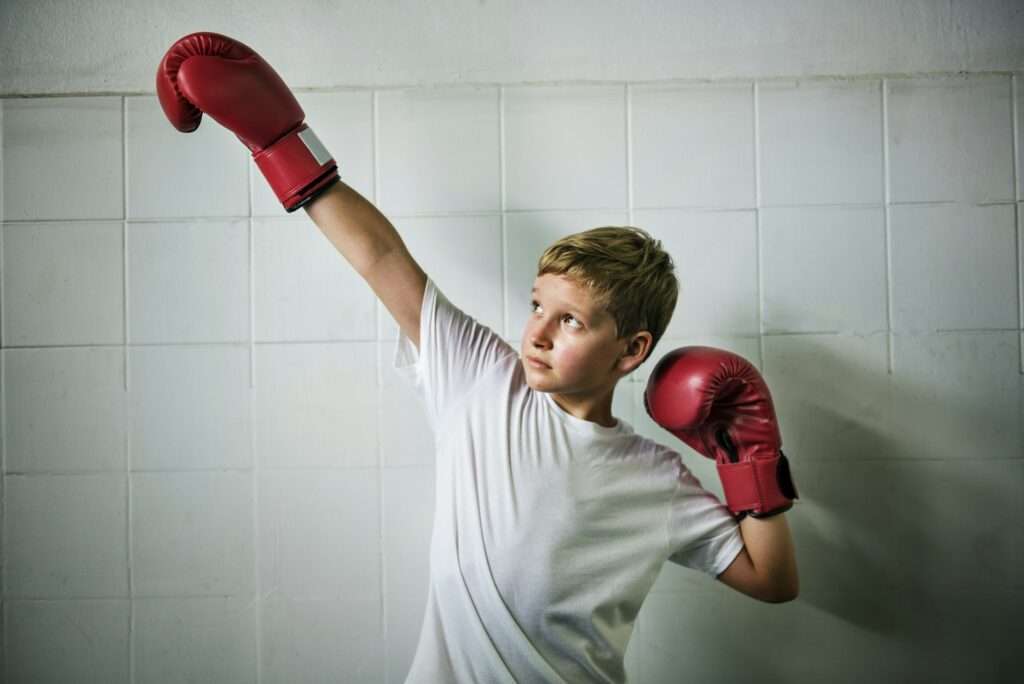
[703,534]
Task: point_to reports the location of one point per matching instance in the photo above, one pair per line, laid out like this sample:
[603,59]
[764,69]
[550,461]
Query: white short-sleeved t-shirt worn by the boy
[549,530]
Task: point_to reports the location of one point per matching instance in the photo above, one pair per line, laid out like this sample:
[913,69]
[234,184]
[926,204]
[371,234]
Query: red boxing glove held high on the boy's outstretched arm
[214,74]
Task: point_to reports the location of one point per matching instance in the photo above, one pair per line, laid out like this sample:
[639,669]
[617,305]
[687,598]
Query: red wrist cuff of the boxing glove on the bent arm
[761,488]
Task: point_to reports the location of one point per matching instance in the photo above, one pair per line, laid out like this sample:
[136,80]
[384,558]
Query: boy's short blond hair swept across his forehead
[627,272]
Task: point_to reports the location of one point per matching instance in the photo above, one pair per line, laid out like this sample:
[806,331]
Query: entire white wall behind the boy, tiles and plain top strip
[210,472]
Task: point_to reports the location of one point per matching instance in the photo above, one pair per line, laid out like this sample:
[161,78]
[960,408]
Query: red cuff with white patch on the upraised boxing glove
[298,167]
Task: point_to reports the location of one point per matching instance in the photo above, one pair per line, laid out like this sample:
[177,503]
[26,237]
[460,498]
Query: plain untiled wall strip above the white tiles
[112,47]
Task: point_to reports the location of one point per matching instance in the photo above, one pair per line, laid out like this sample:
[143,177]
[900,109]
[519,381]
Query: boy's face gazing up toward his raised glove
[574,337]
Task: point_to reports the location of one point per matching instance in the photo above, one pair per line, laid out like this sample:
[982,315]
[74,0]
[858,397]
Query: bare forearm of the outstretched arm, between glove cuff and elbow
[354,226]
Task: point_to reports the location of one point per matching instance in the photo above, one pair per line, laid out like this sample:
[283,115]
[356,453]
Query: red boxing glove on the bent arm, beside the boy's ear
[718,404]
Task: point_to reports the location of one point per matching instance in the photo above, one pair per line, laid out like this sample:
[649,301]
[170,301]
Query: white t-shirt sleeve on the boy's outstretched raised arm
[455,351]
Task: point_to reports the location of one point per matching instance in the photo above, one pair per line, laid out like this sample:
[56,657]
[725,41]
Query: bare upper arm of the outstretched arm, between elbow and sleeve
[400,284]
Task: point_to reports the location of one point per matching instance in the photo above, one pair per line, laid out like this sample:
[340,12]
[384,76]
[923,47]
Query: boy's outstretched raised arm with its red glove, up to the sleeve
[209,73]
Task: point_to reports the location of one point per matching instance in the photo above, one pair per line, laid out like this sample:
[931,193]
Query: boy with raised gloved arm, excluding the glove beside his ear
[553,519]
